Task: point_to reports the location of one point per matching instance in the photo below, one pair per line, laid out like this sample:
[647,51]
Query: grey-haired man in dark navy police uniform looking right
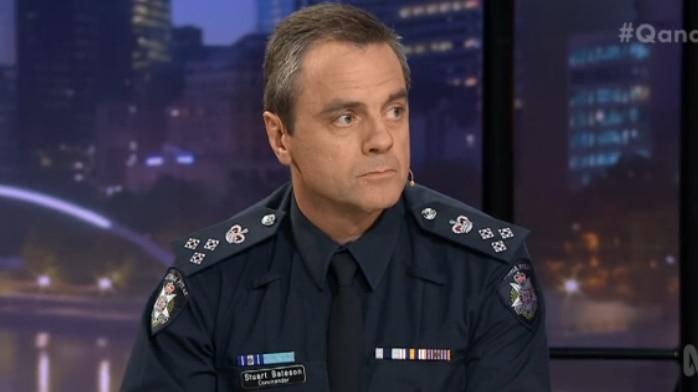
[349,278]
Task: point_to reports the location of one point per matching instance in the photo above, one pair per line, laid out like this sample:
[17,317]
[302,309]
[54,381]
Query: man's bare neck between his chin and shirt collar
[343,225]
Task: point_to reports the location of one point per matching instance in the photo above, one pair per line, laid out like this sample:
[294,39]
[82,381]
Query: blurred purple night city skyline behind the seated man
[176,142]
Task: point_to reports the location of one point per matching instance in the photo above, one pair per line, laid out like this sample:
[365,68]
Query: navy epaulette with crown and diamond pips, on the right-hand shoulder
[492,237]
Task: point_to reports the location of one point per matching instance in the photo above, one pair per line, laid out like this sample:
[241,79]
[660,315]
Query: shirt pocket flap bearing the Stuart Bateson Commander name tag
[282,377]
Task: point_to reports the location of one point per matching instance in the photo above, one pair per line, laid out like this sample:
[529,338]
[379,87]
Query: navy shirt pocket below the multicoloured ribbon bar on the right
[417,376]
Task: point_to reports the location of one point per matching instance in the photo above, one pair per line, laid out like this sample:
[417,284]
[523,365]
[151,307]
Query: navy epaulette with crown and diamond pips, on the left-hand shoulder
[203,248]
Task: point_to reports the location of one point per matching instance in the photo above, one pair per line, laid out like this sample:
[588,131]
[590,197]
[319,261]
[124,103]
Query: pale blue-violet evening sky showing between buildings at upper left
[223,21]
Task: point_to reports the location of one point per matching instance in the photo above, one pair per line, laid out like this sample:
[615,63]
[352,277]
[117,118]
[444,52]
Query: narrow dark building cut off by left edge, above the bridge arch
[8,122]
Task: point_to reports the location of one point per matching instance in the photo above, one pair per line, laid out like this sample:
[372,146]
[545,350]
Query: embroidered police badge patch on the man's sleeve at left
[171,299]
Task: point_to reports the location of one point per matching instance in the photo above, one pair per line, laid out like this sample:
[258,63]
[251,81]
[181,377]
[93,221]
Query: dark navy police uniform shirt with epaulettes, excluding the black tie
[449,295]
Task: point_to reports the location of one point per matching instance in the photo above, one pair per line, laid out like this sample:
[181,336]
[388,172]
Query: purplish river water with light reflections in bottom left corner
[44,361]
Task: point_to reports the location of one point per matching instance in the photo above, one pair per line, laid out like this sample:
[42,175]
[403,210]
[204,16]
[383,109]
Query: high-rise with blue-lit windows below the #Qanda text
[620,102]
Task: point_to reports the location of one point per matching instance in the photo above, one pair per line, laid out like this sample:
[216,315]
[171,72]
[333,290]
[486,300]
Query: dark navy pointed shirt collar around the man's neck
[372,251]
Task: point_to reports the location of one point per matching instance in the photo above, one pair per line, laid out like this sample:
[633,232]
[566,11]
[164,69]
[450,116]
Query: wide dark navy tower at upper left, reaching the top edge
[58,60]
